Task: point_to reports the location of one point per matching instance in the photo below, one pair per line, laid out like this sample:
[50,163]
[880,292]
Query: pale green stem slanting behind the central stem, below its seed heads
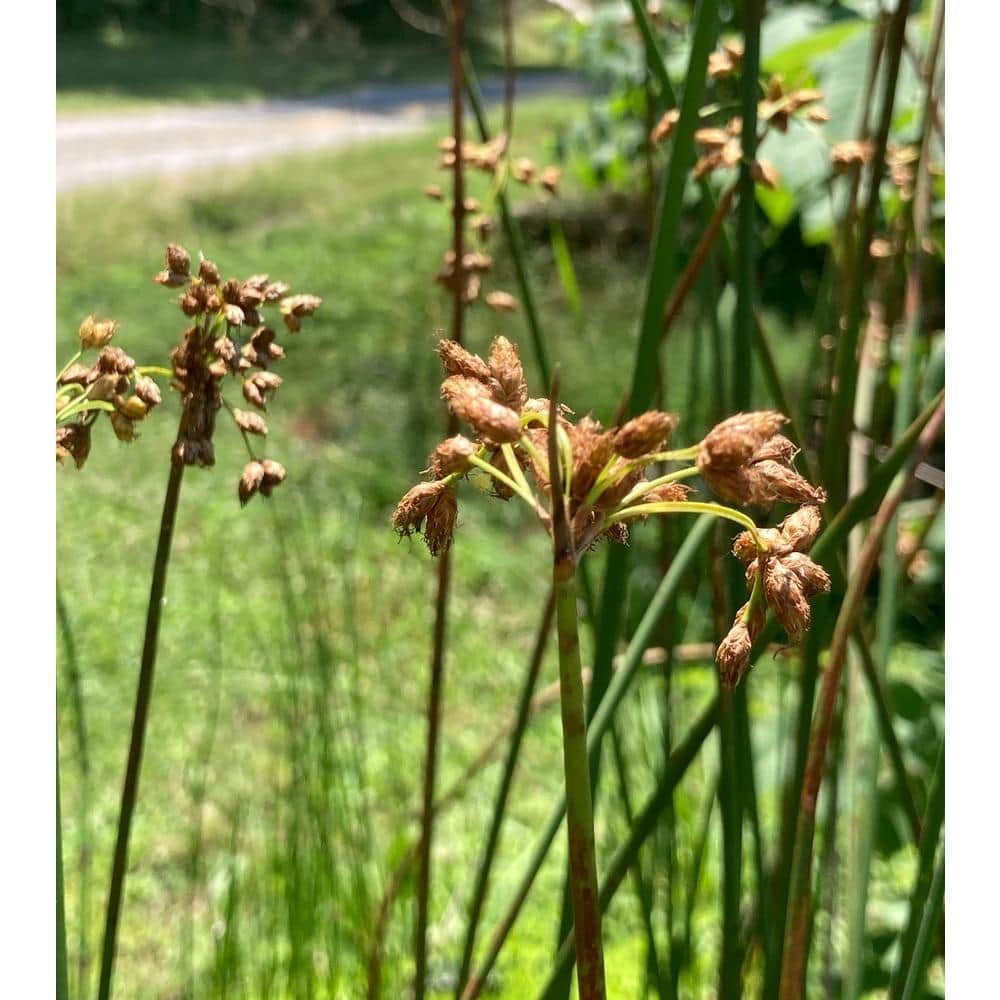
[599,722]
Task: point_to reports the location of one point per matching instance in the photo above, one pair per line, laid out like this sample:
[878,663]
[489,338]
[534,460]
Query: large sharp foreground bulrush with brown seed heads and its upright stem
[588,484]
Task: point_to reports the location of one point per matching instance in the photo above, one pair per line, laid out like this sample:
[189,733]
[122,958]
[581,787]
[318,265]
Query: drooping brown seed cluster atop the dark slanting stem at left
[228,337]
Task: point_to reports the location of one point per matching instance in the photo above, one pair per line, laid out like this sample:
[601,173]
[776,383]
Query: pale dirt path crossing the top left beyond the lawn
[108,148]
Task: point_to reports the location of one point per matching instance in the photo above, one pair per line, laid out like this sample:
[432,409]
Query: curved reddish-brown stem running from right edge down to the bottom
[796,953]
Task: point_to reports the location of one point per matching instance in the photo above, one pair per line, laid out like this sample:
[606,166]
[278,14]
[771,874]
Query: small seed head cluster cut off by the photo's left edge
[111,384]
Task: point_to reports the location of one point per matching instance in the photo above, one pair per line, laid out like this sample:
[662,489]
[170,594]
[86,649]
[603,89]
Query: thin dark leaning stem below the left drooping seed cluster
[144,692]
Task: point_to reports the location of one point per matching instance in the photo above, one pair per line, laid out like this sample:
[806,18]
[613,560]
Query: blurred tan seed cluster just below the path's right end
[465,277]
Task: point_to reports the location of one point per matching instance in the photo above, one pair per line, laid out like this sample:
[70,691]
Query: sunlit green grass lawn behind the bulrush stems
[283,761]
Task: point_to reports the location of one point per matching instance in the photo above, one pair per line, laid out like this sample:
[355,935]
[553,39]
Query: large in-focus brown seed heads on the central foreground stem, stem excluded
[605,484]
